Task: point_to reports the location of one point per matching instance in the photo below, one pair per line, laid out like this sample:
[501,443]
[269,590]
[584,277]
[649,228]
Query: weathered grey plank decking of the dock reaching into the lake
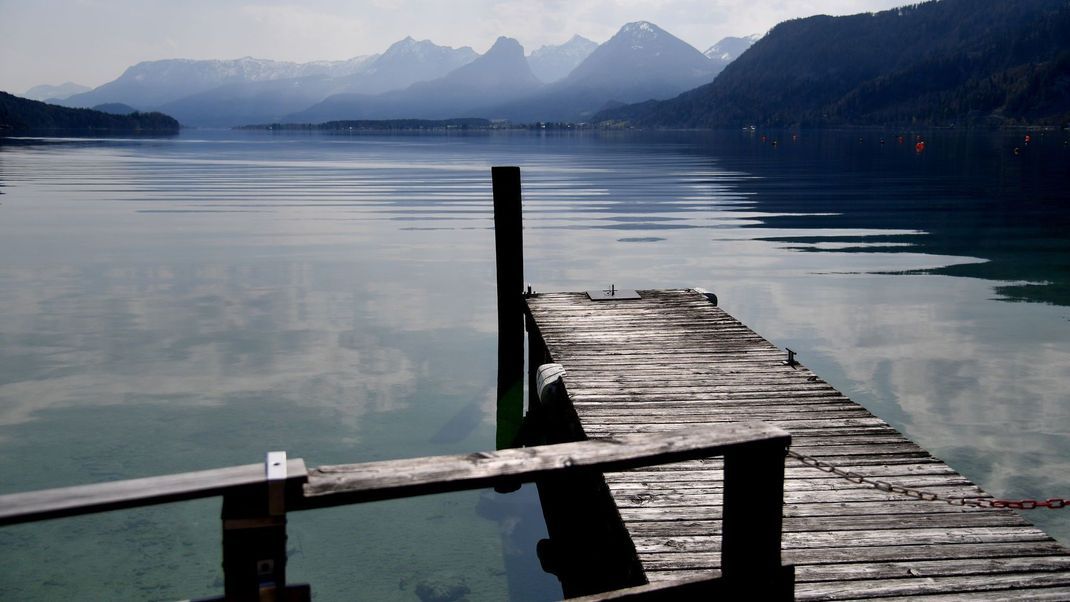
[672,360]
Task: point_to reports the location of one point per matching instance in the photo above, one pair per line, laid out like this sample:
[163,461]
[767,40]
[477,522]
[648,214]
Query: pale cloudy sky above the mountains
[93,42]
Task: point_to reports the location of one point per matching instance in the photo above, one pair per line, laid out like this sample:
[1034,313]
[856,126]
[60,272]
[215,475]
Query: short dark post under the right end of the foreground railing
[753,521]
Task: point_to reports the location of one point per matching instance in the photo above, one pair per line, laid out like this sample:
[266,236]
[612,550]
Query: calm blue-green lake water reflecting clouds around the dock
[194,302]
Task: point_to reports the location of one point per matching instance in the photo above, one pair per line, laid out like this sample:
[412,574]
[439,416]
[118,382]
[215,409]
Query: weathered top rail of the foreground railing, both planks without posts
[391,480]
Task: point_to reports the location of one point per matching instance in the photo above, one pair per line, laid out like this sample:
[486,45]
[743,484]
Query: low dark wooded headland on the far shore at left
[20,115]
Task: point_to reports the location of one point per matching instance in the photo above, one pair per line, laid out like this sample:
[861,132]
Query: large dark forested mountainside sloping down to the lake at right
[954,61]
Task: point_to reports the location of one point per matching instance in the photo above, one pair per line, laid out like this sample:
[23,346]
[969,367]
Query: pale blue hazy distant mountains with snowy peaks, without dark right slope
[418,80]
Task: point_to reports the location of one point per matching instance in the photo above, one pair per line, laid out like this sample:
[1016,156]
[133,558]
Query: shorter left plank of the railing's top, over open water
[100,498]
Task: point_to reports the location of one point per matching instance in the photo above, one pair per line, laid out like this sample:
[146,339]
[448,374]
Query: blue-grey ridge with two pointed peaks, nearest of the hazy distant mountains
[641,61]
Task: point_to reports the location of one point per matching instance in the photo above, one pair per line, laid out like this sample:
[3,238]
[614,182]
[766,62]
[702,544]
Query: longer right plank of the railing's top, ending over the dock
[355,484]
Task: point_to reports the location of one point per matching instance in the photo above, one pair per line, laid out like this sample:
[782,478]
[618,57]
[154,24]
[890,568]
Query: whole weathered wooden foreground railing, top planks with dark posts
[258,497]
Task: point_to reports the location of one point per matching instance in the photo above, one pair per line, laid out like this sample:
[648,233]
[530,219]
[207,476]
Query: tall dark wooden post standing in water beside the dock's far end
[510,260]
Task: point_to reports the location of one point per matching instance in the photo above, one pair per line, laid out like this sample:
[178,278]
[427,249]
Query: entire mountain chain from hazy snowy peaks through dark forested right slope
[943,63]
